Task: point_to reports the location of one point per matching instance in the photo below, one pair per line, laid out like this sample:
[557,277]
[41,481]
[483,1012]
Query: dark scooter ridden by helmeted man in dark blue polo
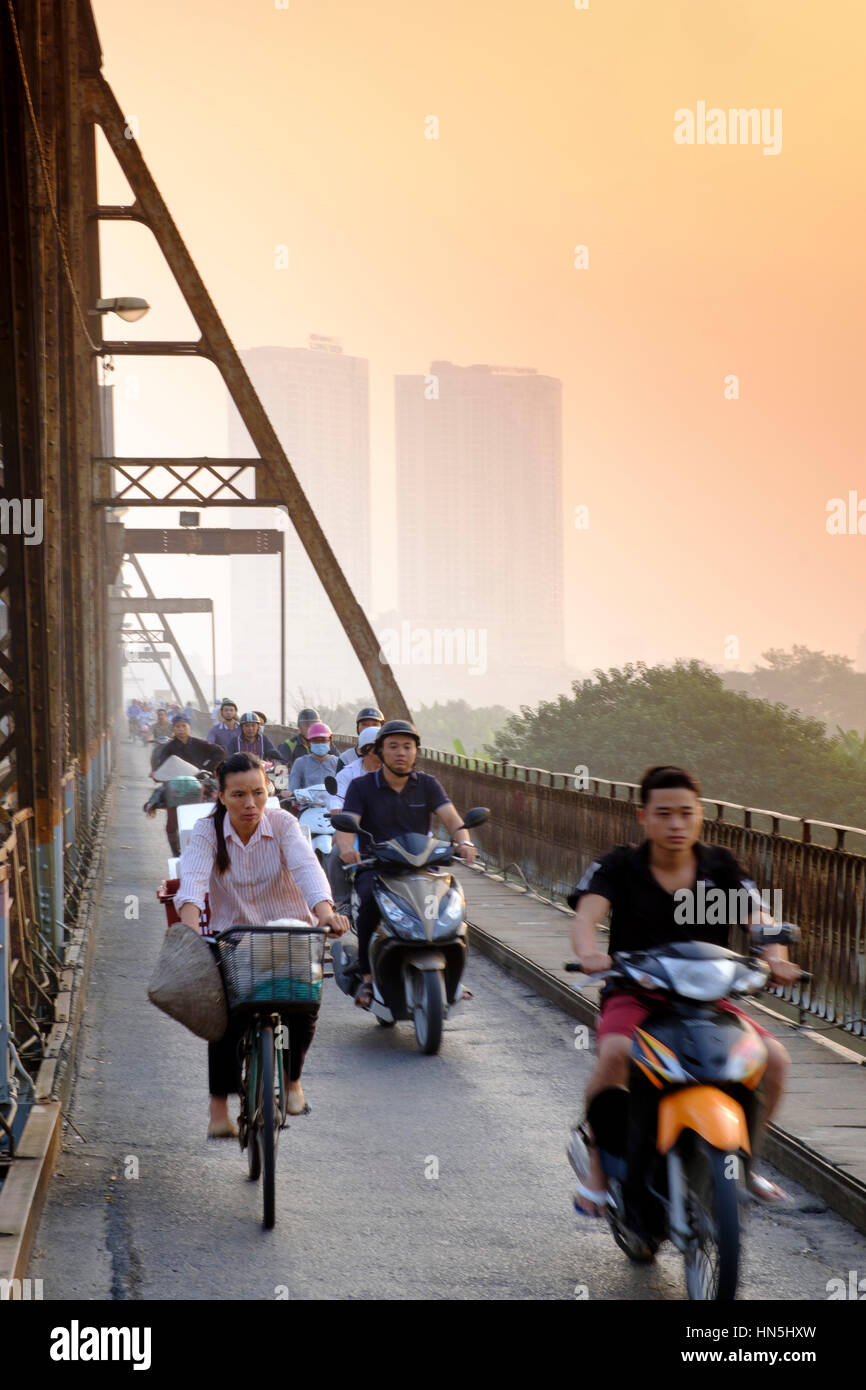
[418,954]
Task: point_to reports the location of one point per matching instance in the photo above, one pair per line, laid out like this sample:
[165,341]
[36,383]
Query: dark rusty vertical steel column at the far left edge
[33,440]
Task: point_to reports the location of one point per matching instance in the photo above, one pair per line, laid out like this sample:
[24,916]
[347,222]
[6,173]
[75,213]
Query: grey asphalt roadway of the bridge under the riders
[149,1209]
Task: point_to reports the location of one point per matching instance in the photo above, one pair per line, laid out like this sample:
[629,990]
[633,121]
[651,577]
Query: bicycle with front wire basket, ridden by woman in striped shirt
[269,972]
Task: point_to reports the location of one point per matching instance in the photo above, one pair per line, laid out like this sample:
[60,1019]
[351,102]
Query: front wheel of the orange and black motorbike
[712,1260]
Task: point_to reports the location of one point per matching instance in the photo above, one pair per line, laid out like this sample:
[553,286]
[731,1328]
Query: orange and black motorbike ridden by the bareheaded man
[675,1143]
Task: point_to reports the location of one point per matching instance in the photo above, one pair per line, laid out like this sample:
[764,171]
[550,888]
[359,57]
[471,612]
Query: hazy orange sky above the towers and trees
[307,127]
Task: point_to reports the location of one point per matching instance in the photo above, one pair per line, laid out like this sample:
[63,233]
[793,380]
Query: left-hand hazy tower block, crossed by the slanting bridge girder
[319,404]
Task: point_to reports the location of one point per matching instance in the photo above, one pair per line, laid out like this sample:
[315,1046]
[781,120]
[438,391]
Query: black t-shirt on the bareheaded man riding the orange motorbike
[644,915]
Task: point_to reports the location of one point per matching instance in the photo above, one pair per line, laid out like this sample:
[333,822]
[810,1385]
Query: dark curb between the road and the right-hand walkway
[840,1191]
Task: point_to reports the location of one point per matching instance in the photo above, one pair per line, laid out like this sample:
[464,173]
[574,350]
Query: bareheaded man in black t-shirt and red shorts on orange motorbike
[643,889]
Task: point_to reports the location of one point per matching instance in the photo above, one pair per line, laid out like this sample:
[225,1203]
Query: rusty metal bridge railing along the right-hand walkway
[554,829]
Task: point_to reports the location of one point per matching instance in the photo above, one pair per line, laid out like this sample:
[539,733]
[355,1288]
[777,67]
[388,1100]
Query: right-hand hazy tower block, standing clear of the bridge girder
[479,465]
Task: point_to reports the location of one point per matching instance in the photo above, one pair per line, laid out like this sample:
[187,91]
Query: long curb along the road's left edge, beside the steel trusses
[24,1192]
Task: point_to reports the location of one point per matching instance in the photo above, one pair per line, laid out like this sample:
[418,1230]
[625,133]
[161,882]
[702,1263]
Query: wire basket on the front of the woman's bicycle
[275,968]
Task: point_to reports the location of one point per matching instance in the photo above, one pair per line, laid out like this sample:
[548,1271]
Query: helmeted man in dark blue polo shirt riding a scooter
[393,801]
